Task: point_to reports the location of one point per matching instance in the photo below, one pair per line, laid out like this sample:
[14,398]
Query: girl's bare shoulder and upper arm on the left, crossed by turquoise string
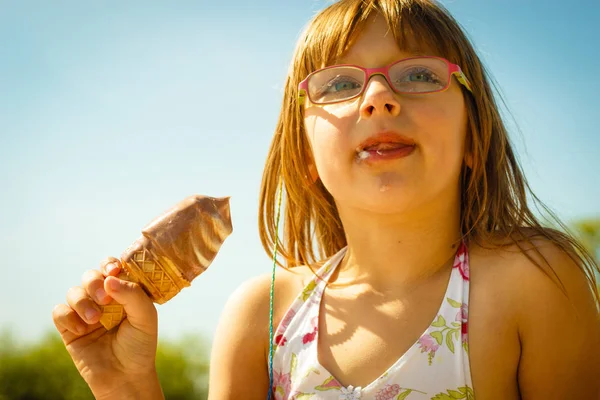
[239,352]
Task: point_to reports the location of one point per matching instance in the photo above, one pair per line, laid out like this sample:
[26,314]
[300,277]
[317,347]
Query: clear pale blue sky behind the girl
[111,112]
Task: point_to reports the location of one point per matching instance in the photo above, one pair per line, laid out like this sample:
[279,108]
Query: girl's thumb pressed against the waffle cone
[139,308]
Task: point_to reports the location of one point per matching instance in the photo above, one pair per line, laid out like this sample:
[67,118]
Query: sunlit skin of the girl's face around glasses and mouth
[435,123]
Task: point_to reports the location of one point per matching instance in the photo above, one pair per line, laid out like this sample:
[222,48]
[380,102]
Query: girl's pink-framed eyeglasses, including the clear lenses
[416,75]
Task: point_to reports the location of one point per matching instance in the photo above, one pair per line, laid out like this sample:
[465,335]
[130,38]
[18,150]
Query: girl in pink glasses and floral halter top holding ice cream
[415,268]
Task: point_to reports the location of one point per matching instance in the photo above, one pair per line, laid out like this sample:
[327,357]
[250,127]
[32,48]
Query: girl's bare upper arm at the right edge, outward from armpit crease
[560,335]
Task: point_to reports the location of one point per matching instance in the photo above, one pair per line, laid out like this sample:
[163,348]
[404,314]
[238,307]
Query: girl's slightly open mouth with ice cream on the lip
[385,145]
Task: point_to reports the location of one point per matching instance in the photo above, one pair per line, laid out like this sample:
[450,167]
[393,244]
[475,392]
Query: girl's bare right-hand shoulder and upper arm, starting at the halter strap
[546,292]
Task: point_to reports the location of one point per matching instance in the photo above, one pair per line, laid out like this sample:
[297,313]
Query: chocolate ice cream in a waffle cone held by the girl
[174,249]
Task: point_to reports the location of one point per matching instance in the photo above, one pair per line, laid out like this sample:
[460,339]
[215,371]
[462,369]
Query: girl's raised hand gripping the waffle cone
[115,360]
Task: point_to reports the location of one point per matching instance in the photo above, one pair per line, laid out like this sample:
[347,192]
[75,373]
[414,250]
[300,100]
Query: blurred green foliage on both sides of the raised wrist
[44,370]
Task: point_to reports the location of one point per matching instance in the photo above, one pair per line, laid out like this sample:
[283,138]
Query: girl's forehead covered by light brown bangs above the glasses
[374,37]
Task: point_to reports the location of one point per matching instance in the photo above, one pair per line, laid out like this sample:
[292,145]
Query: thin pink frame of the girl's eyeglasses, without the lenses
[453,69]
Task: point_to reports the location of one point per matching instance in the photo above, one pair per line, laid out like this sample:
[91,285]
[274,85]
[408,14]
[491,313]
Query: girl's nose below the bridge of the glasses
[379,99]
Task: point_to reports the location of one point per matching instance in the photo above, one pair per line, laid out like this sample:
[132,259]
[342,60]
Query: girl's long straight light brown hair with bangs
[494,203]
